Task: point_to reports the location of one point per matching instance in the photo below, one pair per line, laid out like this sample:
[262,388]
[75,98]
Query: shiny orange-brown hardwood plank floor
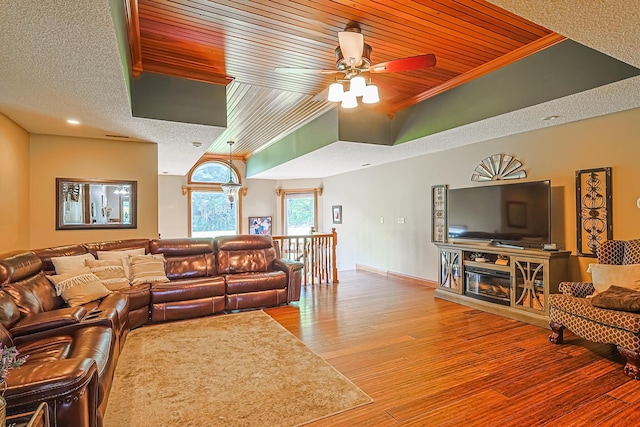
[430,362]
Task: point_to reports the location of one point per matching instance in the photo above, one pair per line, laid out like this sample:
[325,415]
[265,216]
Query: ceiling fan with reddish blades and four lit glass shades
[353,58]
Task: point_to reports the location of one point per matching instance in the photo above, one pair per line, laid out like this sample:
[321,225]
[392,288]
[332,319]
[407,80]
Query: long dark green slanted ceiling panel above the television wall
[561,70]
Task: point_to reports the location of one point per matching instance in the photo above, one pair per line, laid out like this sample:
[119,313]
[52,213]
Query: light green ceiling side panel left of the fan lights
[318,133]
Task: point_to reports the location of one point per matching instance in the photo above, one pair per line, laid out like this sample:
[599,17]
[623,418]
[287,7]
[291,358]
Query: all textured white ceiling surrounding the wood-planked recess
[60,59]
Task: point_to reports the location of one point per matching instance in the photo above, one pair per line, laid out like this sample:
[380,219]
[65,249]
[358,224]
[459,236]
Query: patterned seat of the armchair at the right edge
[582,307]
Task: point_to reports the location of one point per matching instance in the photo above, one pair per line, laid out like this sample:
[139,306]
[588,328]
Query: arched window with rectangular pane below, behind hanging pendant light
[209,212]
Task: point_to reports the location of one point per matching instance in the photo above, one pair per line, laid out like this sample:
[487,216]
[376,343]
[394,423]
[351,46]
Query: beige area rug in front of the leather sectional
[241,369]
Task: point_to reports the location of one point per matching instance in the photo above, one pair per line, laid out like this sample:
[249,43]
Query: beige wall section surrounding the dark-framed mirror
[54,157]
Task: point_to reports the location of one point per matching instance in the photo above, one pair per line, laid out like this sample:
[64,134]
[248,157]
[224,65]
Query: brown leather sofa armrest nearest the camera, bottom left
[69,386]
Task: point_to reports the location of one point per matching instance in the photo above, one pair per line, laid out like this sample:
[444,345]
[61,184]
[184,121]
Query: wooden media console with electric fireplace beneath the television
[507,281]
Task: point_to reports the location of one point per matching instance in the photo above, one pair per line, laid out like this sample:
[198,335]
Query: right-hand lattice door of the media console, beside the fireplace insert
[529,279]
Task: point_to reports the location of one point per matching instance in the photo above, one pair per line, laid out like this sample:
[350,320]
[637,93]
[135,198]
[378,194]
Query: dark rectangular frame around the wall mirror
[133,204]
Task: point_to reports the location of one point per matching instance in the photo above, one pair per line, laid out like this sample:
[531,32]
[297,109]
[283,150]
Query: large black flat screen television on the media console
[517,214]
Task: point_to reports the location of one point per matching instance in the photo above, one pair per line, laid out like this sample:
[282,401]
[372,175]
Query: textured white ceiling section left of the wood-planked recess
[60,60]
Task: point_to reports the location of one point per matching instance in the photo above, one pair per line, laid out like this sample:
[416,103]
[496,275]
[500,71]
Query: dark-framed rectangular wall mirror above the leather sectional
[95,203]
